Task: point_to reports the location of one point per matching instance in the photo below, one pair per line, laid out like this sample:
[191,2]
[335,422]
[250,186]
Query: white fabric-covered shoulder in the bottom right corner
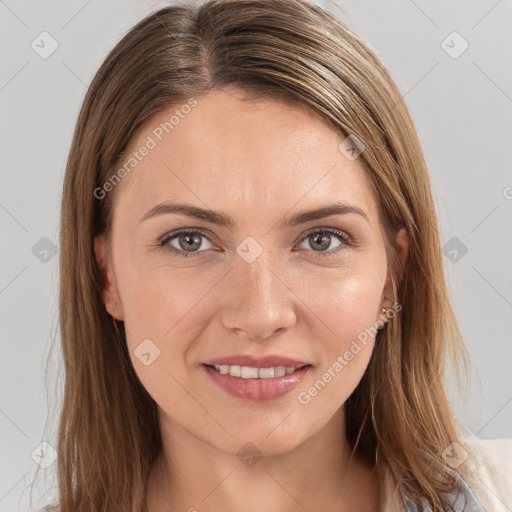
[490,462]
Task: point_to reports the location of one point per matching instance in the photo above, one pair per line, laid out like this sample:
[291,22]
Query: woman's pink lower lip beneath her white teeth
[257,389]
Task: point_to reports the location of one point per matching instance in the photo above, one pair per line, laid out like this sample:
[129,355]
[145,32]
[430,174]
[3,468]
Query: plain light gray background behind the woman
[462,107]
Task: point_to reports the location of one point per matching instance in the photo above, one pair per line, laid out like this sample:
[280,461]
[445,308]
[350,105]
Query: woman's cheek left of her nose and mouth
[168,307]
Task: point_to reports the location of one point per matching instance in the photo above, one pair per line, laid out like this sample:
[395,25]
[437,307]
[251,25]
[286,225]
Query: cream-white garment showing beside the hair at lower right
[491,481]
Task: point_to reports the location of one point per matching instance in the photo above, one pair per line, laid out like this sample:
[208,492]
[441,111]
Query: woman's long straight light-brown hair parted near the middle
[290,50]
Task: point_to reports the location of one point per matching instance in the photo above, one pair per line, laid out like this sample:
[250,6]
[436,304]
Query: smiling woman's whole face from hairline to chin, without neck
[256,279]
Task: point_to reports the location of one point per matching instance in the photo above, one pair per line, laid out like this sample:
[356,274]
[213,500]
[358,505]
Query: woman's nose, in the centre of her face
[258,303]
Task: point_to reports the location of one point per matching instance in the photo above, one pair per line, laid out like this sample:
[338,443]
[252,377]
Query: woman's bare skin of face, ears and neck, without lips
[258,163]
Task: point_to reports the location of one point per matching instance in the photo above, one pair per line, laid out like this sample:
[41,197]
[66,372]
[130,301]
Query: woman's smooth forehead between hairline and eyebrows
[225,152]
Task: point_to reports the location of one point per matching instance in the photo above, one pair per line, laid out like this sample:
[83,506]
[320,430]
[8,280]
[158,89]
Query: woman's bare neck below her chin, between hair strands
[191,474]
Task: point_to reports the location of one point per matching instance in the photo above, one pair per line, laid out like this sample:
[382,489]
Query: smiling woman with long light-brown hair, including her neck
[253,306]
